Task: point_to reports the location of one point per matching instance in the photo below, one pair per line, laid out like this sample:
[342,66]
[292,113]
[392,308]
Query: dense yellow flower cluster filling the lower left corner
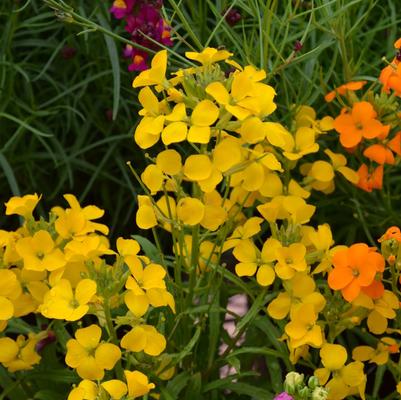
[60,268]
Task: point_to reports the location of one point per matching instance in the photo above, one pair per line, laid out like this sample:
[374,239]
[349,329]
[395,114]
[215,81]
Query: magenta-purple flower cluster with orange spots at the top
[146,26]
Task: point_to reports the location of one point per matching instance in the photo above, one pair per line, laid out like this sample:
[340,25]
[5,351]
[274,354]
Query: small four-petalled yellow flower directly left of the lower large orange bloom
[290,259]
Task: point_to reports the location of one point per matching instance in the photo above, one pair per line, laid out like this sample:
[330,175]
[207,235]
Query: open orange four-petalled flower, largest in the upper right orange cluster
[360,123]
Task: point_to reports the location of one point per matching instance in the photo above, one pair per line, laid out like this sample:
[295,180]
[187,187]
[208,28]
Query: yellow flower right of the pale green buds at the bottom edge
[346,378]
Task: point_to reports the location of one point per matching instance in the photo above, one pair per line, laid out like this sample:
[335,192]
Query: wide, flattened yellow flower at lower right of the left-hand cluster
[144,338]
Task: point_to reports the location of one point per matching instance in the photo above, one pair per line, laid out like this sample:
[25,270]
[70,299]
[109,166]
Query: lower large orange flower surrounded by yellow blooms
[355,268]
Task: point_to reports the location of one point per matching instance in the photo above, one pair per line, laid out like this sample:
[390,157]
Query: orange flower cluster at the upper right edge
[368,125]
